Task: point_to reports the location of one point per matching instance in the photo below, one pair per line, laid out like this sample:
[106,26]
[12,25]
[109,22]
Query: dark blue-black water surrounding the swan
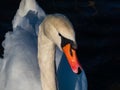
[97,26]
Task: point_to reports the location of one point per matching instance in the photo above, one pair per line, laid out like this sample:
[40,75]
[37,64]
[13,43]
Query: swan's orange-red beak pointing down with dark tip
[72,58]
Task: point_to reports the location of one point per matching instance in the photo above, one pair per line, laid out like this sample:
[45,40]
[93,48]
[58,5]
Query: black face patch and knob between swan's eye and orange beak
[65,41]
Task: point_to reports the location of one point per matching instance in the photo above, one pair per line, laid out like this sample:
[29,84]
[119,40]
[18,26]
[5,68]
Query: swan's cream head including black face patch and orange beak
[60,31]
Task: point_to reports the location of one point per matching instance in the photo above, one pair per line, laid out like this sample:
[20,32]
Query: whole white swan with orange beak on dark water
[19,69]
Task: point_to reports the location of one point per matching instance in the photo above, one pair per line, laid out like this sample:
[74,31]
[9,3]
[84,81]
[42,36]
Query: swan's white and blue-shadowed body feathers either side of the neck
[19,69]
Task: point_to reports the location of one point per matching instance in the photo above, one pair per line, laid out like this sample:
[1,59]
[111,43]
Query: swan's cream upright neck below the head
[46,51]
